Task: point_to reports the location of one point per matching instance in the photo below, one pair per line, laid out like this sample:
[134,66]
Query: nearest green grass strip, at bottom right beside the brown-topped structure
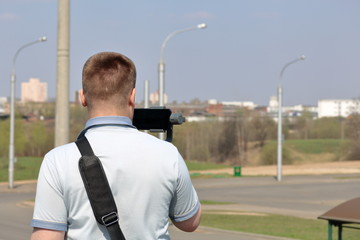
[275,225]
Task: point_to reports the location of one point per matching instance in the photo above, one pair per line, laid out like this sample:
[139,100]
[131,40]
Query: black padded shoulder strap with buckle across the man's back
[98,190]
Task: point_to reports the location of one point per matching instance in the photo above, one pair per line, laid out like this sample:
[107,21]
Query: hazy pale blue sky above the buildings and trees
[238,57]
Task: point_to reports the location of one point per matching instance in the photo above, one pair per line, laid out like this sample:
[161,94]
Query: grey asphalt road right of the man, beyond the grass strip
[302,196]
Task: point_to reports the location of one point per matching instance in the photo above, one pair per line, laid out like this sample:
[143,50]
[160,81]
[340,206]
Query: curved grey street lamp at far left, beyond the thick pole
[12,111]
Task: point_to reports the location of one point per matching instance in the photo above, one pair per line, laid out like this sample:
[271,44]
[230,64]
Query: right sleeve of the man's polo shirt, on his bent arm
[185,203]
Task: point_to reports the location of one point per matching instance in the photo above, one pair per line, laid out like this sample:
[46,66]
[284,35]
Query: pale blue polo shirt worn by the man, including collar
[148,178]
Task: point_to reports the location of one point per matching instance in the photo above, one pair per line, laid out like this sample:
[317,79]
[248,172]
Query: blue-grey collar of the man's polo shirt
[106,121]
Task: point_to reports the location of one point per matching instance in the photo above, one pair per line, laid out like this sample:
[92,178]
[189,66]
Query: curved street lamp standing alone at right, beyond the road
[280,137]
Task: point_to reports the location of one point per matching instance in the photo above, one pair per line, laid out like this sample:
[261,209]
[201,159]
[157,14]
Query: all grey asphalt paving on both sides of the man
[303,196]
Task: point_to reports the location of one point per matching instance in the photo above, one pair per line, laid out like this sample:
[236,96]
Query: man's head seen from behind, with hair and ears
[108,81]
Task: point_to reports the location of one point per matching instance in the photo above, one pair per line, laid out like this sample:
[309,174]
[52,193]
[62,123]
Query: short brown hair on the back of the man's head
[108,75]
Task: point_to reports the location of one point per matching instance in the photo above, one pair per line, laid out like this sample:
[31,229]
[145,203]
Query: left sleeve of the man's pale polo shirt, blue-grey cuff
[49,211]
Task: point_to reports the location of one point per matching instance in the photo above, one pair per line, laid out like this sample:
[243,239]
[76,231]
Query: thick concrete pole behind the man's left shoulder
[62,74]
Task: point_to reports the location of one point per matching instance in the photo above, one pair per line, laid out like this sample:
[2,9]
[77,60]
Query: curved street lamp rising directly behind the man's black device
[162,64]
